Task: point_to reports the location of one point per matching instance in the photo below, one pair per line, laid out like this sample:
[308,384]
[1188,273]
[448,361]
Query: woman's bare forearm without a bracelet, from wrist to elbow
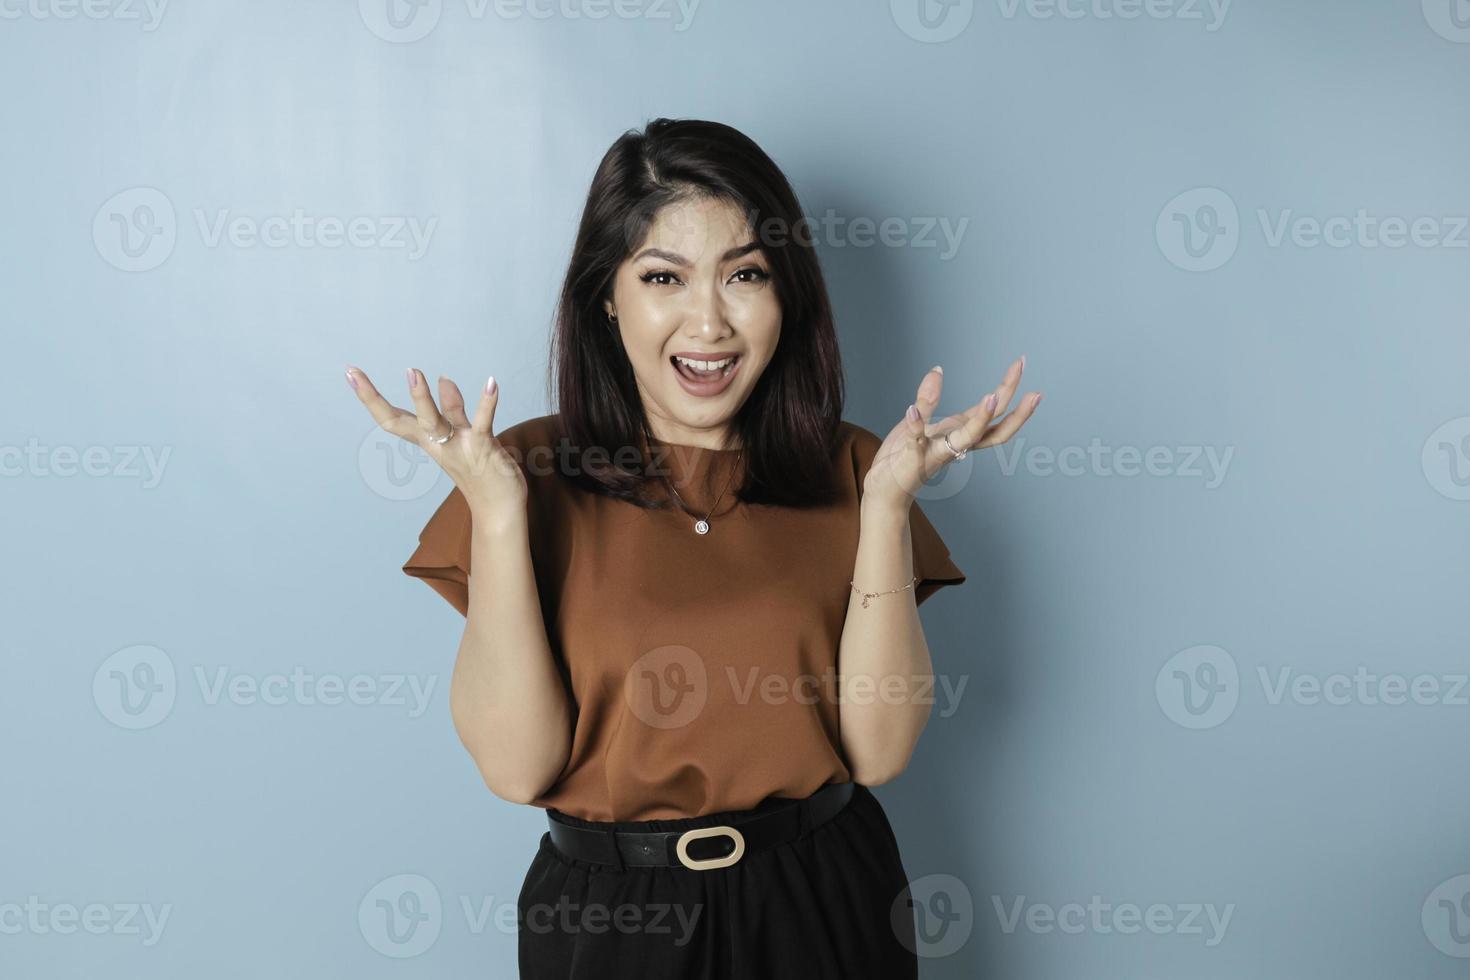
[508,699]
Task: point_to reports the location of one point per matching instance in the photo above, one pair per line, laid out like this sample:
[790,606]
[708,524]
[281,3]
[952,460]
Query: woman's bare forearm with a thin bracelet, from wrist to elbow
[883,657]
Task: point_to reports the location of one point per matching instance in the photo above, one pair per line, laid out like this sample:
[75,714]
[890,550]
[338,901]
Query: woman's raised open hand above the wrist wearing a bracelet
[915,449]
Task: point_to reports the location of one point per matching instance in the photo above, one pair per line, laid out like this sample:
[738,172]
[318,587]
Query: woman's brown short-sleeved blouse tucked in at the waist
[702,666]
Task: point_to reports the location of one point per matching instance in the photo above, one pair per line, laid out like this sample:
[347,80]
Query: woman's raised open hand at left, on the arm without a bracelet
[483,469]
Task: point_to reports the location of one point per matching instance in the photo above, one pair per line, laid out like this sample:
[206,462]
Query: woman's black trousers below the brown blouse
[828,906]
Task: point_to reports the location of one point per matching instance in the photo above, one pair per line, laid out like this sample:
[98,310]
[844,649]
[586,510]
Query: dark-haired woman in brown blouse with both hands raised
[692,594]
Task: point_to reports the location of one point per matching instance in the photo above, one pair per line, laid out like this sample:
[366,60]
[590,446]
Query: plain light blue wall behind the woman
[1119,181]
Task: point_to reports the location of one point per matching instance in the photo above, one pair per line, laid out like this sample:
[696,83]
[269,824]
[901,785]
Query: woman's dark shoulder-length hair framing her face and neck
[790,422]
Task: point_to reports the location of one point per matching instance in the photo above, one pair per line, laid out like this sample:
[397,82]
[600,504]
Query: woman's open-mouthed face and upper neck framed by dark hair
[696,290]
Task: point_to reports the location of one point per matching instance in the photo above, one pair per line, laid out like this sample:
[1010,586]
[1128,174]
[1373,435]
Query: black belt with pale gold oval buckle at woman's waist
[671,849]
